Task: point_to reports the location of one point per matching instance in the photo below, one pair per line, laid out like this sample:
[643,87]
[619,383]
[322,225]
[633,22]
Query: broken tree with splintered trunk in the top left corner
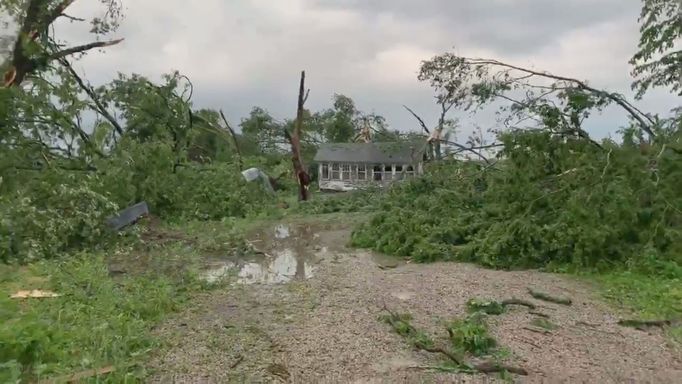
[34,48]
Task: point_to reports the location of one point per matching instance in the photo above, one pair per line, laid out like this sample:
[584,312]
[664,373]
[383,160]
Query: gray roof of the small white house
[393,152]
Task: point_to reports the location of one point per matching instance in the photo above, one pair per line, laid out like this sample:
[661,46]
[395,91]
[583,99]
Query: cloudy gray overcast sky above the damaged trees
[242,53]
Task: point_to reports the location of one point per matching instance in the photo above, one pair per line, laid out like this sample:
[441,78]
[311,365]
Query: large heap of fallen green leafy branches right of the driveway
[549,202]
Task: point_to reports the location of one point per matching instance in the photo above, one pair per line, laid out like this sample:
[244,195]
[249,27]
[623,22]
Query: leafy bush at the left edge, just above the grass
[52,214]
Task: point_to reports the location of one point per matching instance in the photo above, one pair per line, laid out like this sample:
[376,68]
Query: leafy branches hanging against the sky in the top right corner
[658,62]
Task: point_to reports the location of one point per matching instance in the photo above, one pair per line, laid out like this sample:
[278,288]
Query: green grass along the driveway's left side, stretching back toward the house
[102,320]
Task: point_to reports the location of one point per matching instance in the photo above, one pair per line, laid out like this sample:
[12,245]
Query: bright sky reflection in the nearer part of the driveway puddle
[283,268]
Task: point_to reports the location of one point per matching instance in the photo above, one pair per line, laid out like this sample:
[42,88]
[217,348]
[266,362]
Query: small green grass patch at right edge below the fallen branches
[647,297]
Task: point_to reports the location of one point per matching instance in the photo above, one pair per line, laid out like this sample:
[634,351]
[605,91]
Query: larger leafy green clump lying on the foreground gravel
[471,335]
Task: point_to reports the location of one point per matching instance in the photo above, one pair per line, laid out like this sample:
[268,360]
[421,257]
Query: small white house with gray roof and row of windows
[347,166]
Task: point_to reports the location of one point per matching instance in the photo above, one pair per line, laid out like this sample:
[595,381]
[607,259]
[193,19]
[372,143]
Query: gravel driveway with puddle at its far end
[307,312]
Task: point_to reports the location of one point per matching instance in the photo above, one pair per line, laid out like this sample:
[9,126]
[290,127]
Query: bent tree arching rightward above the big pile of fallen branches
[537,99]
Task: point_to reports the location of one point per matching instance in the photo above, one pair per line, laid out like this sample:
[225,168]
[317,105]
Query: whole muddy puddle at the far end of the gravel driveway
[286,252]
